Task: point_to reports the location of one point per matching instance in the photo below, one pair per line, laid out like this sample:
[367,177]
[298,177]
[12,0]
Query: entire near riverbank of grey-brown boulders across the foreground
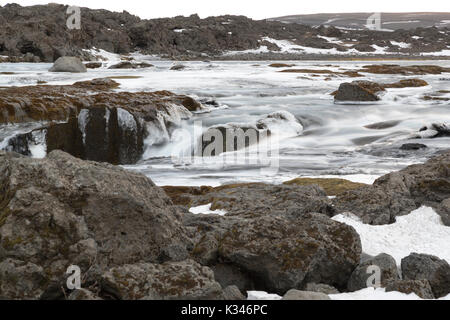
[132,242]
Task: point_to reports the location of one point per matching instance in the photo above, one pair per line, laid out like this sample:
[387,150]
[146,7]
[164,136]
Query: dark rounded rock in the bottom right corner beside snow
[425,267]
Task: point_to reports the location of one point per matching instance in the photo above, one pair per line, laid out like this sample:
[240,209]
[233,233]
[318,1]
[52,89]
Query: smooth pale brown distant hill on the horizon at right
[392,21]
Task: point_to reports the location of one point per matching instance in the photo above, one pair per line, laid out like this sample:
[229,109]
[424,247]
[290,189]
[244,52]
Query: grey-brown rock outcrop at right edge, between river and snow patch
[401,192]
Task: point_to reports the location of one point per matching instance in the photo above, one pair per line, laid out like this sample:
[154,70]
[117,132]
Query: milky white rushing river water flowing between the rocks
[327,140]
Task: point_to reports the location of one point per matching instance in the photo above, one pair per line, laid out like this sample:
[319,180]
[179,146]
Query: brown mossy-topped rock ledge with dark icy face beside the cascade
[103,126]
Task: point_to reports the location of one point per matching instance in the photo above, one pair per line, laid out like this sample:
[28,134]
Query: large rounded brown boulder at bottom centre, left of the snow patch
[277,252]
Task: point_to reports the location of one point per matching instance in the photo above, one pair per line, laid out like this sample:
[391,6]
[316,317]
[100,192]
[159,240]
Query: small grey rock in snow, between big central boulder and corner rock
[360,275]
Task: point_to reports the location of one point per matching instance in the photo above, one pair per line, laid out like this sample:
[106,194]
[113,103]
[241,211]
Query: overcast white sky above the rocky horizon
[257,9]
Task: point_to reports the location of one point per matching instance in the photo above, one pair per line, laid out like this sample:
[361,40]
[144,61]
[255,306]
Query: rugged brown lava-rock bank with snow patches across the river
[39,33]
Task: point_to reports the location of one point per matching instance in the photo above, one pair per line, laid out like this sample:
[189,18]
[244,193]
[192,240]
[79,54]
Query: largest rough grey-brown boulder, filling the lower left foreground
[62,211]
